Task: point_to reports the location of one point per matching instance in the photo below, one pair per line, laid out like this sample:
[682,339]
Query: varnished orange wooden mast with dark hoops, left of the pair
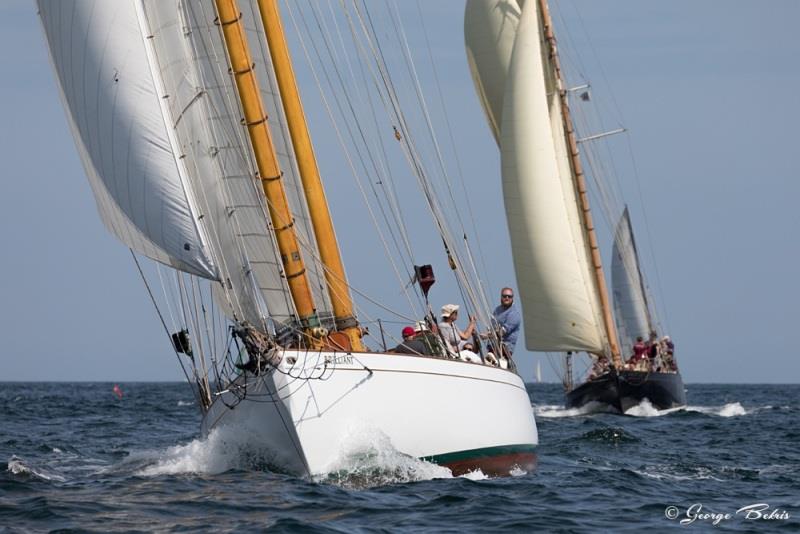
[266,160]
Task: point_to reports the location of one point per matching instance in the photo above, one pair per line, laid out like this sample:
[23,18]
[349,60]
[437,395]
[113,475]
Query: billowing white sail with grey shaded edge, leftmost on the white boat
[114,111]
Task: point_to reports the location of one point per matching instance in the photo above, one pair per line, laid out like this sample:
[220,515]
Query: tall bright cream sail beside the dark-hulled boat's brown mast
[560,301]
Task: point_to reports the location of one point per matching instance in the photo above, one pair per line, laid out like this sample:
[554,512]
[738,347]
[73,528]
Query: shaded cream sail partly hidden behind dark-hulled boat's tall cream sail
[490,27]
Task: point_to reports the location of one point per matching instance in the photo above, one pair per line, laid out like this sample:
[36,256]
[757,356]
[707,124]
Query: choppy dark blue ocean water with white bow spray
[74,457]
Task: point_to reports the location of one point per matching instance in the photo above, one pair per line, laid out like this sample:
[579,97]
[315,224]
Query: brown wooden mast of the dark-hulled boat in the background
[580,184]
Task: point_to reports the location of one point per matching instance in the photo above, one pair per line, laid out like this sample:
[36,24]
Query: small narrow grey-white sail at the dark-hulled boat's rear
[630,302]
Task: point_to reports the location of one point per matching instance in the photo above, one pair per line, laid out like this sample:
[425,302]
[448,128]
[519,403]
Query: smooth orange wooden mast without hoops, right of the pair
[309,174]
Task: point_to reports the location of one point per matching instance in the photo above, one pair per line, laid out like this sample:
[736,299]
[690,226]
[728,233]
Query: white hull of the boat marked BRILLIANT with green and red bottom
[461,415]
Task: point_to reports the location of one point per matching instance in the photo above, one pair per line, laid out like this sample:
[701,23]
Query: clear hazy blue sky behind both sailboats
[706,90]
